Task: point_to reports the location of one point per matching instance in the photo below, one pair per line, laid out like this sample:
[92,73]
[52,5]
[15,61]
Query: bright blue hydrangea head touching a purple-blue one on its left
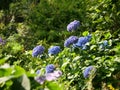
[82,41]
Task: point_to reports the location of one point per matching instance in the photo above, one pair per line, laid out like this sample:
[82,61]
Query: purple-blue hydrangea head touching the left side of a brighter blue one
[70,40]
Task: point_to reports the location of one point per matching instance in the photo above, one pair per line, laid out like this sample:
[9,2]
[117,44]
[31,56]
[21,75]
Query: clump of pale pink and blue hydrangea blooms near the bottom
[49,76]
